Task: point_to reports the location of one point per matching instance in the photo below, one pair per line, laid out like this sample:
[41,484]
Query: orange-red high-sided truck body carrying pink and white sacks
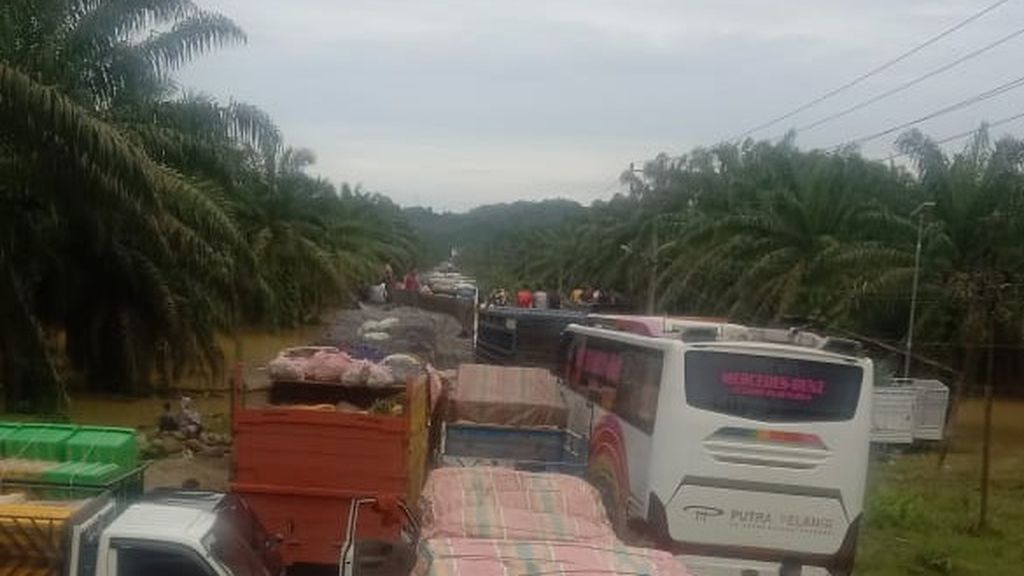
[301,469]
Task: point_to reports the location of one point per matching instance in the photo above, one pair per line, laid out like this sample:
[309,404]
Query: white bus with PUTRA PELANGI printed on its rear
[744,450]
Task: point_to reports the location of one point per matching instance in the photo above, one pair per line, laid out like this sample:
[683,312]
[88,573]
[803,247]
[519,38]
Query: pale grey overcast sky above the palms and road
[454,104]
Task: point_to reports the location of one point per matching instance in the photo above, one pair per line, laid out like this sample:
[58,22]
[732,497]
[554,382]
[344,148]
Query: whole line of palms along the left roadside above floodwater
[140,221]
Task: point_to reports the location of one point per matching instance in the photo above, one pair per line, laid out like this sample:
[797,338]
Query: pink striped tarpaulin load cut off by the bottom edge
[496,558]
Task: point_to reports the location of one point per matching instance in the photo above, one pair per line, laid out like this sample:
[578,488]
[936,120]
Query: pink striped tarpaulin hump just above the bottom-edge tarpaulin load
[457,488]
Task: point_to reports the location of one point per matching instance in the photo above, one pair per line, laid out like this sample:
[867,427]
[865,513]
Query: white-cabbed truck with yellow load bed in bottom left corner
[181,533]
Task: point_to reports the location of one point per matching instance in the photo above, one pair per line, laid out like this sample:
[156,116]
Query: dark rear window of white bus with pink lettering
[769,389]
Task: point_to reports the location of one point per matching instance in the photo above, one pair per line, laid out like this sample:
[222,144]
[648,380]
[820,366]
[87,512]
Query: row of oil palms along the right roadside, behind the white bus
[766,233]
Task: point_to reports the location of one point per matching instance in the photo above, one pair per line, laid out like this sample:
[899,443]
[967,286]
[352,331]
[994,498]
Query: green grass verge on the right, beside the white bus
[923,521]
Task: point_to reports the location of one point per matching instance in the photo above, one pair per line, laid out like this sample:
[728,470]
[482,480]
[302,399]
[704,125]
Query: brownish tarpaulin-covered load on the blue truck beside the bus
[506,396]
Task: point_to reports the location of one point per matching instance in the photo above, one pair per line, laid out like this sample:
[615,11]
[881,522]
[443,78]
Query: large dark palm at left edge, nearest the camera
[129,258]
